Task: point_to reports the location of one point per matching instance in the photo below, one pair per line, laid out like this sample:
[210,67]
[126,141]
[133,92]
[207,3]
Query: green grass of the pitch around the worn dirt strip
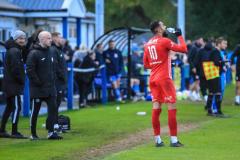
[94,127]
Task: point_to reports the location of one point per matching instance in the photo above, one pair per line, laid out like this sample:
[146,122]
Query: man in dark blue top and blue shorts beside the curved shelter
[114,63]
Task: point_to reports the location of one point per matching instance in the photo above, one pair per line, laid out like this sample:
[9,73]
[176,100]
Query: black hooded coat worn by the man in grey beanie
[14,74]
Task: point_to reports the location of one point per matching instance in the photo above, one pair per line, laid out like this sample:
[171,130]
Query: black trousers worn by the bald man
[52,113]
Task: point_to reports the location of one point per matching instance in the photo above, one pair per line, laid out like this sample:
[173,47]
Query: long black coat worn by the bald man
[41,71]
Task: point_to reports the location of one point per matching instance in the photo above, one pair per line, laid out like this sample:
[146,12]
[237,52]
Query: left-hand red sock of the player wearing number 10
[155,121]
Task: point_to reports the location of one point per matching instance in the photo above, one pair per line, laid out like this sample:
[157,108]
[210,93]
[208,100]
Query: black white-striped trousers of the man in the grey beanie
[13,107]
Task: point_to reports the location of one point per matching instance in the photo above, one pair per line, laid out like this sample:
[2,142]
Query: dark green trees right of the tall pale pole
[213,18]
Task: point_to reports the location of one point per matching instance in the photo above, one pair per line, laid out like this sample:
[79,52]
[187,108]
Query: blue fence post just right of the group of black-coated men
[70,87]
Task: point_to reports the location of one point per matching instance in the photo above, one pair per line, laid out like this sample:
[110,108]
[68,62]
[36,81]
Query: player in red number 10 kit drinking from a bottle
[157,58]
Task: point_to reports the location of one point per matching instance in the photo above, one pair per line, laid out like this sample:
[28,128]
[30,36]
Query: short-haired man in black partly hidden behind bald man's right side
[61,71]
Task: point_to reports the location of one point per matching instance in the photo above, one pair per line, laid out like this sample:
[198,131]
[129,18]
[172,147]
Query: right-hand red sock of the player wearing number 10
[172,122]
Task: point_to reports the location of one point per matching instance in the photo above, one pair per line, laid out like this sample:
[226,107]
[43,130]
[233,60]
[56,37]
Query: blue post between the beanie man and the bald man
[26,98]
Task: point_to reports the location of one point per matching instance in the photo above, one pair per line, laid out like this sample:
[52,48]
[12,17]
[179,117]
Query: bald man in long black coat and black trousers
[41,73]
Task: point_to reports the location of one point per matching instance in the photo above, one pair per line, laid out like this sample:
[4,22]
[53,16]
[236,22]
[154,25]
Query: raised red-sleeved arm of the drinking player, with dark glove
[181,47]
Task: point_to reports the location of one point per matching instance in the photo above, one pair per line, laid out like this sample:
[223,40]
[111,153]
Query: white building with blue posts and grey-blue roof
[68,17]
